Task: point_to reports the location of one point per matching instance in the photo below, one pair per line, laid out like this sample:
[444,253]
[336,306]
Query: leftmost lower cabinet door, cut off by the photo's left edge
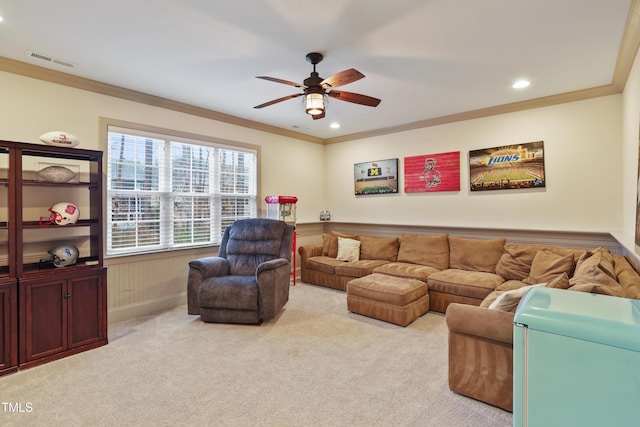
[8,328]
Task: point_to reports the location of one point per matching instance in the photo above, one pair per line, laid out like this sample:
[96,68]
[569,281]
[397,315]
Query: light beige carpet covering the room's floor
[314,365]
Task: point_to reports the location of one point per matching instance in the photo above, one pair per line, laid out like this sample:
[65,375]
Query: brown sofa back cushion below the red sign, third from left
[425,250]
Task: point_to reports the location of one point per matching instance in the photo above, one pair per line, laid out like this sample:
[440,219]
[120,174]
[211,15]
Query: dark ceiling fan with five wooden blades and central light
[316,89]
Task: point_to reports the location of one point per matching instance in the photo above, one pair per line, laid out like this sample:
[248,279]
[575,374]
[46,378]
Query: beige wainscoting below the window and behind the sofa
[144,285]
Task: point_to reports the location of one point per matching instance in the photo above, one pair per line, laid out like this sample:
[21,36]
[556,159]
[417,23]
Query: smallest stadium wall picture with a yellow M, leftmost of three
[377,177]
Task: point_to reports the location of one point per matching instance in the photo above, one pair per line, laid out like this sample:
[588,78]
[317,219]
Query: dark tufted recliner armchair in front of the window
[249,280]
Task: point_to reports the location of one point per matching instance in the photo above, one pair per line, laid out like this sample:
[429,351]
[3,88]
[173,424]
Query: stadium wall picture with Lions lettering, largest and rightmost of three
[508,167]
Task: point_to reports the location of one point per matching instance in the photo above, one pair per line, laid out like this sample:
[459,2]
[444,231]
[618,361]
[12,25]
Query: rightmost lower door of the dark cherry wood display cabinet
[87,317]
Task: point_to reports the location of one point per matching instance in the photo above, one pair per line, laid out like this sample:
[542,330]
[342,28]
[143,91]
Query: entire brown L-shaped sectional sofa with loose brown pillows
[477,283]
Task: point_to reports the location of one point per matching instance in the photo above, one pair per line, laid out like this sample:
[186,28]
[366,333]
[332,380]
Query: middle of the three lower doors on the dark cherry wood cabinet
[43,318]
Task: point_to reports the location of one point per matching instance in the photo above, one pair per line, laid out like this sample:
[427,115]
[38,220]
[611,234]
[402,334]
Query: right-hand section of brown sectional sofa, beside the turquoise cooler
[481,339]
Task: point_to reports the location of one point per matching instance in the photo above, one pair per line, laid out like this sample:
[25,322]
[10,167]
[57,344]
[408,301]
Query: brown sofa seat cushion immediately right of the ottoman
[472,284]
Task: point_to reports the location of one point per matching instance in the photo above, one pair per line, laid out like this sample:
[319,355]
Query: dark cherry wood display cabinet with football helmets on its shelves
[53,311]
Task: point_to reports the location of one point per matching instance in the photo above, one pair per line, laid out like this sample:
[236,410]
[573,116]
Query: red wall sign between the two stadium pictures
[432,172]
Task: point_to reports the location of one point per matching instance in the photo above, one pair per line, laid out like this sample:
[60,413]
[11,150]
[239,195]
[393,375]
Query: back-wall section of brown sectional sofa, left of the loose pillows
[455,269]
